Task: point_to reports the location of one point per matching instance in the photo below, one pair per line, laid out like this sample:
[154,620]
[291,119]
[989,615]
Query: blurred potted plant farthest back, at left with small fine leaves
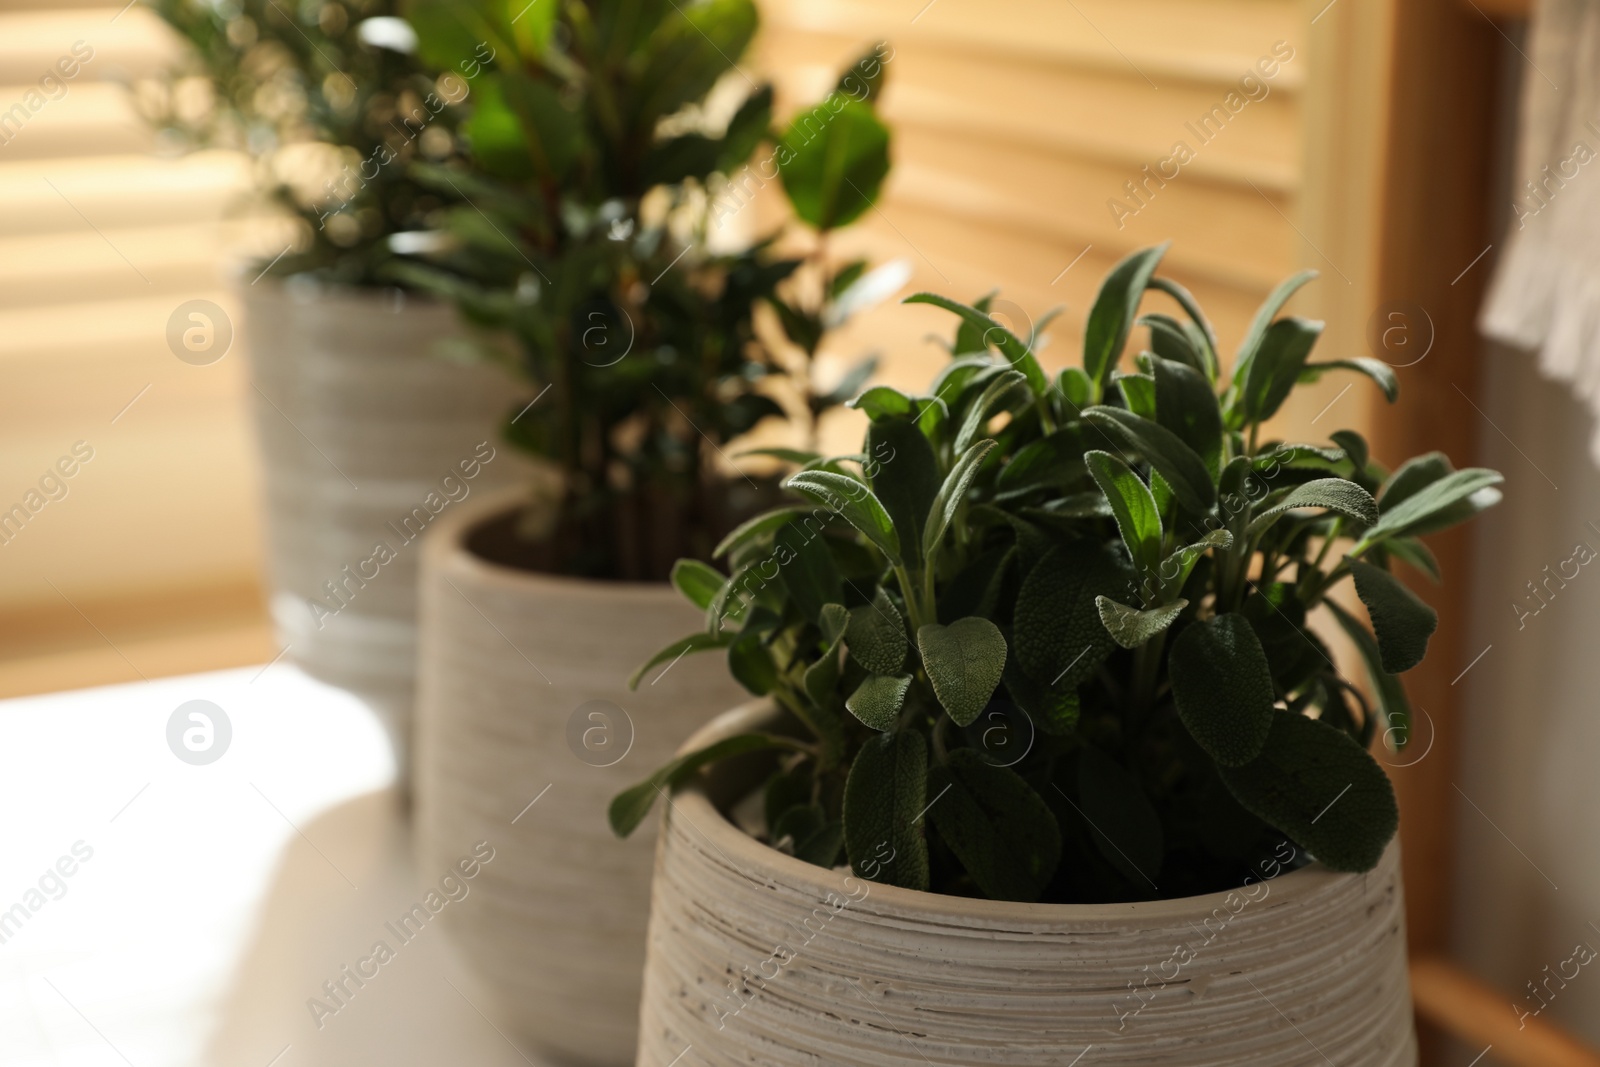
[366,433]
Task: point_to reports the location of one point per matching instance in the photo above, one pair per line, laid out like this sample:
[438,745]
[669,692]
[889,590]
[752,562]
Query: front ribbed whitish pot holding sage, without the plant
[761,959]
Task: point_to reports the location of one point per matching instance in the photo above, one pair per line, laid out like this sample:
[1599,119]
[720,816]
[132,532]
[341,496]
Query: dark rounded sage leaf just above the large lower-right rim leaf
[1223,689]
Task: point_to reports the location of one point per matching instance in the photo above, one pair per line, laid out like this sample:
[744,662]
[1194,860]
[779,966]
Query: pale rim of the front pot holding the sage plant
[745,850]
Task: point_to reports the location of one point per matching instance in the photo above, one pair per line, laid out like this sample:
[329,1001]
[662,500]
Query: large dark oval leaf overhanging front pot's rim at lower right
[1322,789]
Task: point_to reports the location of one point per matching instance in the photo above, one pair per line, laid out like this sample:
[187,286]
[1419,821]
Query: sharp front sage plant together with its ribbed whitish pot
[1047,754]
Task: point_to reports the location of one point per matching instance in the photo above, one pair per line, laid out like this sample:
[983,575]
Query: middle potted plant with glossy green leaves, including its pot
[607,167]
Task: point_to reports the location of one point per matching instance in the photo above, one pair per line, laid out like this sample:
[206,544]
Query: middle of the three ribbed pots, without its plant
[526,732]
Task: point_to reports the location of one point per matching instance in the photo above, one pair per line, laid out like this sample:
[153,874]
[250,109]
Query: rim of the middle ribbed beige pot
[446,551]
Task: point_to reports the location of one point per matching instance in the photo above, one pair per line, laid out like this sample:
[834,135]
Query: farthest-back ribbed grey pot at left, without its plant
[366,436]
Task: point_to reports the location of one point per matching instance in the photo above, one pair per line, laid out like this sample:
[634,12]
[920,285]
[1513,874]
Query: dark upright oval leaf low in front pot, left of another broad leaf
[886,796]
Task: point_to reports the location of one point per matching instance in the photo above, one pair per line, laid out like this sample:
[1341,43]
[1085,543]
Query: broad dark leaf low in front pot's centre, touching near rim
[1001,831]
